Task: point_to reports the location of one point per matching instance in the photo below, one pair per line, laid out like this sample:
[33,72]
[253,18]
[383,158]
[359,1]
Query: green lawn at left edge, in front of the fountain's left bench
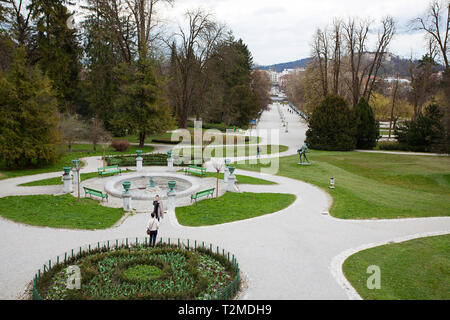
[59,212]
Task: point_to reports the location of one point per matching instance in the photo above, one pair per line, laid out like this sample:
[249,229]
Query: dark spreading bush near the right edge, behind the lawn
[423,133]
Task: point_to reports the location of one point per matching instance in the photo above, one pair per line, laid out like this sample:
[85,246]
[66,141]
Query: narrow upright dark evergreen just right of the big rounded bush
[367,127]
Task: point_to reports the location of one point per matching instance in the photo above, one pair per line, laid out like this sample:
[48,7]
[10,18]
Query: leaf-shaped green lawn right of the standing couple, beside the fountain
[232,207]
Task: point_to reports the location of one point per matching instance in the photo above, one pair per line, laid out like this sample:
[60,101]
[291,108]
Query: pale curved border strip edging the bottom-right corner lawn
[338,261]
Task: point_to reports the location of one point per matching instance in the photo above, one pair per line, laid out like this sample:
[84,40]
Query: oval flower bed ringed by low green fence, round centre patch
[142,272]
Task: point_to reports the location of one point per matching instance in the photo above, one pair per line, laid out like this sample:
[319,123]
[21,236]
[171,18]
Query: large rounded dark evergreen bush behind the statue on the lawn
[331,126]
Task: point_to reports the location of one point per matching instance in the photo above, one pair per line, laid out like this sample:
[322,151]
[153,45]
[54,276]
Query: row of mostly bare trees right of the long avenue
[343,66]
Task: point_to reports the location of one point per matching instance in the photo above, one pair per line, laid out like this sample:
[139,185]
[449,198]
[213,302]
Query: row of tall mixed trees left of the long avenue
[116,67]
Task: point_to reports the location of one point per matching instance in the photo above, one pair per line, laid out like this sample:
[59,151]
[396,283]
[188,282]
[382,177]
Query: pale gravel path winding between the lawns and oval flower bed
[291,254]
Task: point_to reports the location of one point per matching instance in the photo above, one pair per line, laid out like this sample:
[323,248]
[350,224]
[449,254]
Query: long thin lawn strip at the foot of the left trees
[78,151]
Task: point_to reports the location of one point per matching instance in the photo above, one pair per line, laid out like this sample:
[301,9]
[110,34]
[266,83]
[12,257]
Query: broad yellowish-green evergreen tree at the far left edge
[28,116]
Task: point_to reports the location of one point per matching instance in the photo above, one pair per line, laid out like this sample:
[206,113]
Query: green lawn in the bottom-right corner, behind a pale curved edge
[416,269]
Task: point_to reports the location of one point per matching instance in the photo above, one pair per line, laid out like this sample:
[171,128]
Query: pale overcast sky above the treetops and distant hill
[281,30]
